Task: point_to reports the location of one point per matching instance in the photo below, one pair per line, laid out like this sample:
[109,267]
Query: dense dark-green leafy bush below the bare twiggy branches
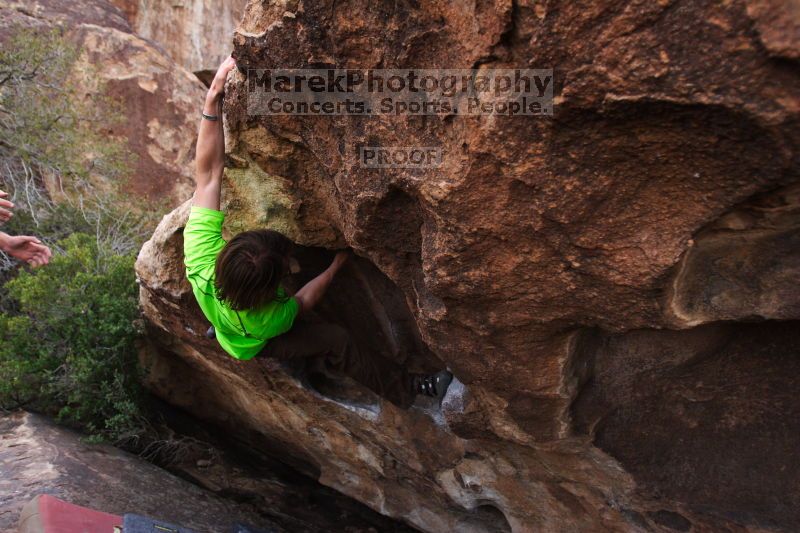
[69,340]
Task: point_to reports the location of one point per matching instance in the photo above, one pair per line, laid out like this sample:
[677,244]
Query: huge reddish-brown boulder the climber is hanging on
[614,287]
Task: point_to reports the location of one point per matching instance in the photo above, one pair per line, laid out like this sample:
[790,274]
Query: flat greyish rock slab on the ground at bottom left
[39,457]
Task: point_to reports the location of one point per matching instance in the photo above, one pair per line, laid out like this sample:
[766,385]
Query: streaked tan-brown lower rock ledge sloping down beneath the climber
[400,463]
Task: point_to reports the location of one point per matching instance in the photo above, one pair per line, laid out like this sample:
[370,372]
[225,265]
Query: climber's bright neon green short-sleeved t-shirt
[242,336]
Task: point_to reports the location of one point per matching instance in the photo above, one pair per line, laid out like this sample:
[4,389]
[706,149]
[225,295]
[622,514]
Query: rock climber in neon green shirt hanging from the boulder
[238,285]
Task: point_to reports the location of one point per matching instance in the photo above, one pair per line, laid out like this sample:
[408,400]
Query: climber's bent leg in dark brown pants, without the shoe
[314,339]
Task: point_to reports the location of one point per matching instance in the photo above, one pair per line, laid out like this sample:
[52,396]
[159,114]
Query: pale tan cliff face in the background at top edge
[196,34]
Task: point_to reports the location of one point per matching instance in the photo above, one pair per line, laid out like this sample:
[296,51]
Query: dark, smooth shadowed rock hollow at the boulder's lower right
[707,417]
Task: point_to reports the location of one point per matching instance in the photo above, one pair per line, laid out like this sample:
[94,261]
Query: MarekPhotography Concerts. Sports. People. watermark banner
[400,92]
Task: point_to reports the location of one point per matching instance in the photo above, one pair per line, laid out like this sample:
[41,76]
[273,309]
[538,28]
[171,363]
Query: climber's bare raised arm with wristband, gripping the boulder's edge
[210,152]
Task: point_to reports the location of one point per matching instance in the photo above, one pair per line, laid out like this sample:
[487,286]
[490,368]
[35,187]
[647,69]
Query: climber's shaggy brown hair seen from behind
[250,268]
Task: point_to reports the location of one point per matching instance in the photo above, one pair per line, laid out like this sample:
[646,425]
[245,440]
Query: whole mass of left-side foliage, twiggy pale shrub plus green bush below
[68,329]
